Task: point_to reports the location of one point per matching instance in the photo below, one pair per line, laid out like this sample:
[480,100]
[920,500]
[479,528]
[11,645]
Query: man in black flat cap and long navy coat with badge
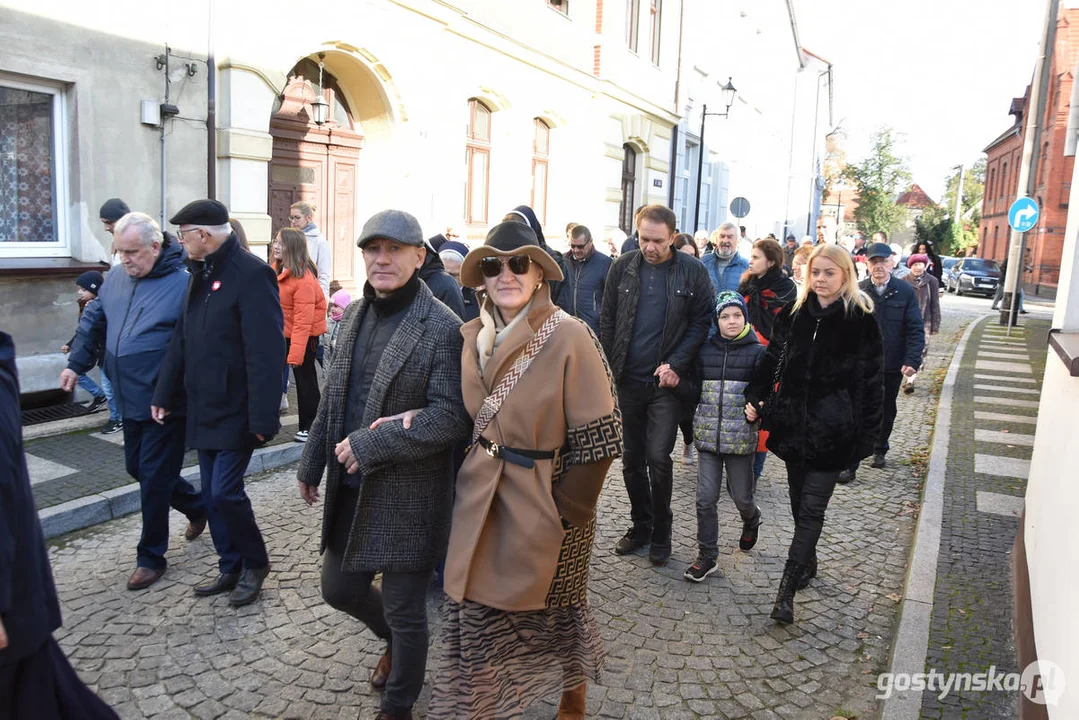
[226,357]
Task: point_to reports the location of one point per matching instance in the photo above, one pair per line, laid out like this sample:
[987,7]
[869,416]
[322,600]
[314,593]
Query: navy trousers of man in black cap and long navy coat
[237,536]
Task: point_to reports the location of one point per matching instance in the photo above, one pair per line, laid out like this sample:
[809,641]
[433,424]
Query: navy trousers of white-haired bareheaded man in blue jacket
[155,457]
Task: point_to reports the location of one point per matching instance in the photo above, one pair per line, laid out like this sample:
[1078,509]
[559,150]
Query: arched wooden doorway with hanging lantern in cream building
[318,164]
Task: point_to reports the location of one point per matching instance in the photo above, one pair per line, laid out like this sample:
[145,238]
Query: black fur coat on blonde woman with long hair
[827,412]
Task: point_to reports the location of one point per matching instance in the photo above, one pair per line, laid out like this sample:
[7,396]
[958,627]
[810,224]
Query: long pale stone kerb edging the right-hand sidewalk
[911,644]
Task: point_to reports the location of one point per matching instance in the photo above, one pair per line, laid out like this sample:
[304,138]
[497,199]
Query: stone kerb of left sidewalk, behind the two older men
[112,505]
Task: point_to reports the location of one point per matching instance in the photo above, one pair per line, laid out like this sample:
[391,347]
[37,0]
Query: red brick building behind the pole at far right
[1046,243]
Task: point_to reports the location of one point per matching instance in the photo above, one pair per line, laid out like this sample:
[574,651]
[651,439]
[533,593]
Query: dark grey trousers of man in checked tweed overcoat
[398,615]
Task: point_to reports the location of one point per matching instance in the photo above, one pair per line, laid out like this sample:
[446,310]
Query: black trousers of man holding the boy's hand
[650,417]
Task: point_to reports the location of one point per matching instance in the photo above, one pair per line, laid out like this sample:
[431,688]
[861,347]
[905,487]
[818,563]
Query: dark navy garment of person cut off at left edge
[28,595]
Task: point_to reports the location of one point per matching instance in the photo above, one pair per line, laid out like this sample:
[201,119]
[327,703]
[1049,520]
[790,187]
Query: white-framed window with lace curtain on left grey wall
[32,170]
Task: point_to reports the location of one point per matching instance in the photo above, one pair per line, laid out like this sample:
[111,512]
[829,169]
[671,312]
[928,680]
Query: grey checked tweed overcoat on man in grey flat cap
[403,515]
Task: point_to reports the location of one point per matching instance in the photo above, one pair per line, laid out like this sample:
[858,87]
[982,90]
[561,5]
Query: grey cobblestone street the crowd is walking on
[676,649]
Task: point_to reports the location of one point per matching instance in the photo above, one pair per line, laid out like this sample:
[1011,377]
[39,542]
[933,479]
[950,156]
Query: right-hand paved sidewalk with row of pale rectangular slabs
[992,440]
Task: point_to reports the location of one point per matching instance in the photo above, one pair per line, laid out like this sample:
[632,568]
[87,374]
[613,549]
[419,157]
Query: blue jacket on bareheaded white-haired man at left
[133,319]
